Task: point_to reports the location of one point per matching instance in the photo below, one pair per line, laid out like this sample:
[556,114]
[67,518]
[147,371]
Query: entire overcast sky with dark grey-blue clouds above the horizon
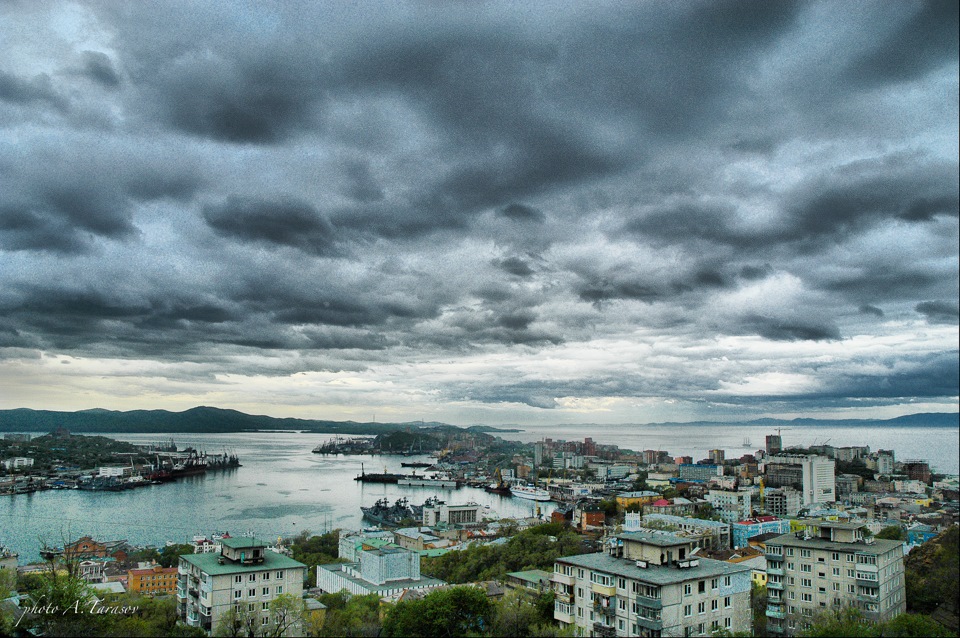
[522,212]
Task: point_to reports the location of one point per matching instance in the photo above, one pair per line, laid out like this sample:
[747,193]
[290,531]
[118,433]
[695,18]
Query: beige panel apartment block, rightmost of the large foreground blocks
[830,565]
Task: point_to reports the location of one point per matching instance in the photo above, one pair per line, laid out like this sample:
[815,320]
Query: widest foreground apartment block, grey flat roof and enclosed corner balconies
[650,584]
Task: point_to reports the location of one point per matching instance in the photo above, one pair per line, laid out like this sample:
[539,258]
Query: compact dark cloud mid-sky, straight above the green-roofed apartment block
[286,222]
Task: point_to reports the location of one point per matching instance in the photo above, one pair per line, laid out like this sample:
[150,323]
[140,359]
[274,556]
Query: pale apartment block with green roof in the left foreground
[245,576]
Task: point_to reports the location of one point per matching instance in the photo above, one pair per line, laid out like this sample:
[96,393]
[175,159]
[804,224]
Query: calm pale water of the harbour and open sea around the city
[283,488]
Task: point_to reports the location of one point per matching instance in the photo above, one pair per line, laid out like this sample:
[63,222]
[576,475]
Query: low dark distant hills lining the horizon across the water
[217,420]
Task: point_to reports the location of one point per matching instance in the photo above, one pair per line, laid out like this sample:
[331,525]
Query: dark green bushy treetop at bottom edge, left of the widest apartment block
[442,613]
